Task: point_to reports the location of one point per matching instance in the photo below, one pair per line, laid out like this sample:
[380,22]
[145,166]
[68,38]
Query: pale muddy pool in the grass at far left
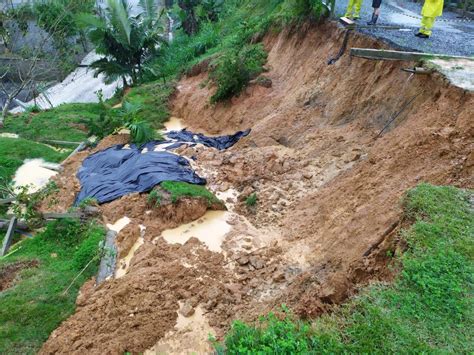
[33,174]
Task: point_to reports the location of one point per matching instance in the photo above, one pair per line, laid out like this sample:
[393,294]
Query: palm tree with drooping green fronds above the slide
[125,41]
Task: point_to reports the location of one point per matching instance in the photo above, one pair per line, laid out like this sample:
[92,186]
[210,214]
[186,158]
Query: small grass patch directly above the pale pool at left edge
[14,151]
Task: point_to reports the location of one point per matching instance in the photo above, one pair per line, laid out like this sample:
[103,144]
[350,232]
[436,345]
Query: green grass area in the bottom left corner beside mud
[36,305]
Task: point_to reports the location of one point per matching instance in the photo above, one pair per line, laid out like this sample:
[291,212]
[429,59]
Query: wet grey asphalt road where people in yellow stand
[451,35]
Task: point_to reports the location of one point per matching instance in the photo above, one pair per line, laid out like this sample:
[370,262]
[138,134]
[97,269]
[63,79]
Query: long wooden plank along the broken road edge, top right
[385,54]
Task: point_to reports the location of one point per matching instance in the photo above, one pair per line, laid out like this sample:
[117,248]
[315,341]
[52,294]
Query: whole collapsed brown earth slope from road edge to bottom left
[328,196]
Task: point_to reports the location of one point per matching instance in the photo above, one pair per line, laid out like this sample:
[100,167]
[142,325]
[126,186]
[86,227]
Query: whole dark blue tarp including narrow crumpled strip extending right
[114,172]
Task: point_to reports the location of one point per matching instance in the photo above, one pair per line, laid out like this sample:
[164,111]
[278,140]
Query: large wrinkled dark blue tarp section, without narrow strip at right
[115,172]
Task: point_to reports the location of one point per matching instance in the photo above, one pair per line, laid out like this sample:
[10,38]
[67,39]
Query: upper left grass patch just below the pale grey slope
[61,123]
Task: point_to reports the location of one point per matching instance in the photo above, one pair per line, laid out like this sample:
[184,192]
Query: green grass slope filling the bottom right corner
[428,309]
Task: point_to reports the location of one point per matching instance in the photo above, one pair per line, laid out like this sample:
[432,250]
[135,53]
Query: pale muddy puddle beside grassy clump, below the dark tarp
[209,229]
